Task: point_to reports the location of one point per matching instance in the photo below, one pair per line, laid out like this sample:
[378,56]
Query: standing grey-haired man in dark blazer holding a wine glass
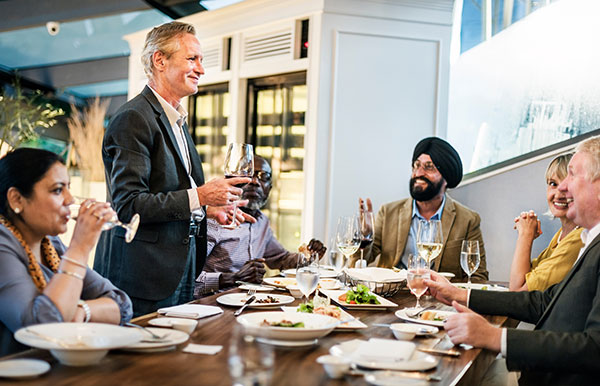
[152,168]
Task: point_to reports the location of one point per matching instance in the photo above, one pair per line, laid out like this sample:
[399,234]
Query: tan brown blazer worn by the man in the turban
[459,223]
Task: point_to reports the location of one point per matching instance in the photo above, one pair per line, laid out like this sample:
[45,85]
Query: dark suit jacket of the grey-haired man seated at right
[564,348]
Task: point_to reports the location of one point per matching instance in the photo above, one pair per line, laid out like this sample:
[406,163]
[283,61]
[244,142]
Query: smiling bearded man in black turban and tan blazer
[436,167]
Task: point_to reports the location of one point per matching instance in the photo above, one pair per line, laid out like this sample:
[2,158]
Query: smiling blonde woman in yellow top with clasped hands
[551,266]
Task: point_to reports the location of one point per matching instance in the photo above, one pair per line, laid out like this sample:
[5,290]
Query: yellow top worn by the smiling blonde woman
[553,264]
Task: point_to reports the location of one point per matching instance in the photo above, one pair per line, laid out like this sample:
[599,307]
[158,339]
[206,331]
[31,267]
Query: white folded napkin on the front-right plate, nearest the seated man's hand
[385,350]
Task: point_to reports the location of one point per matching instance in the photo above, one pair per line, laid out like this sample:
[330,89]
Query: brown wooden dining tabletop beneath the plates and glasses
[292,366]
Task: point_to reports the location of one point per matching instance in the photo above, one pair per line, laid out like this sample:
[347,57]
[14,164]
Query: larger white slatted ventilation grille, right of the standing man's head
[263,46]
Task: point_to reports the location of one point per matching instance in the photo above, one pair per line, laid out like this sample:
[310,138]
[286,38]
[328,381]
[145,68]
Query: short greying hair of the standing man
[162,38]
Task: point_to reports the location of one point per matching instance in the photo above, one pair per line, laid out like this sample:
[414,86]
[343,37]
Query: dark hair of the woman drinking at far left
[23,168]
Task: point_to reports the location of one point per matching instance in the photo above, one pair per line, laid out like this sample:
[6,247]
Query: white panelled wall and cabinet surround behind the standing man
[377,82]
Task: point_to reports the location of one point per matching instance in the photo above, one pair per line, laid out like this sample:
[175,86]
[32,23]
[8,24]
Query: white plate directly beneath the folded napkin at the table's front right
[419,361]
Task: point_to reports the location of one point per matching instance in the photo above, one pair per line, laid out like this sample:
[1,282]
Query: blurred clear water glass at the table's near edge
[250,361]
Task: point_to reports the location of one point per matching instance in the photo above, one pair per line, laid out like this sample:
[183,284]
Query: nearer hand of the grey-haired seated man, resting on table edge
[471,328]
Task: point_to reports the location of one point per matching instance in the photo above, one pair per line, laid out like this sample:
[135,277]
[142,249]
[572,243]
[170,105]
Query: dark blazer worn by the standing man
[145,174]
